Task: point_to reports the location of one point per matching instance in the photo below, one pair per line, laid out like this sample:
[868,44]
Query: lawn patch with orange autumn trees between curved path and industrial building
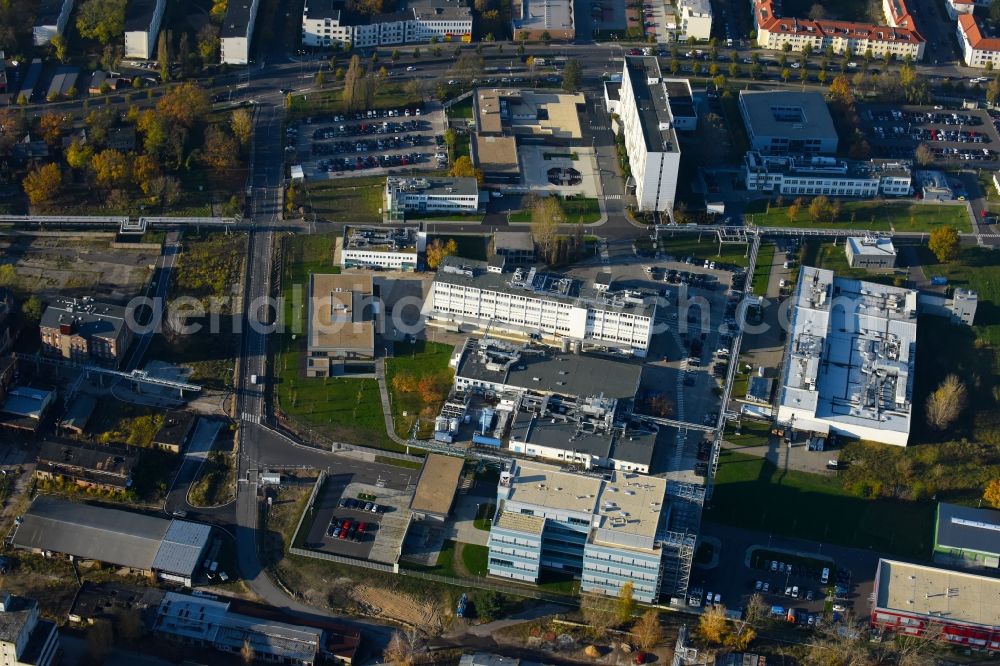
[418,361]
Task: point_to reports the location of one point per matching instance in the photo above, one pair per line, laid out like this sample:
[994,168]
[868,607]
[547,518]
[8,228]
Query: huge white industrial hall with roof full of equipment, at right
[849,362]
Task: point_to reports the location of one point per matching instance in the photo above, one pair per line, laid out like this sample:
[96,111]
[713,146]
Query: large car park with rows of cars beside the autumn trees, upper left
[369,142]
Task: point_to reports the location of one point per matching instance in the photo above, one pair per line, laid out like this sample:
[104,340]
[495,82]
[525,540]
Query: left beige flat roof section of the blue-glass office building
[548,486]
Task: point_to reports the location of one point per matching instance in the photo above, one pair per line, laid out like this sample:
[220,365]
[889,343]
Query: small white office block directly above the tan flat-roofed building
[388,248]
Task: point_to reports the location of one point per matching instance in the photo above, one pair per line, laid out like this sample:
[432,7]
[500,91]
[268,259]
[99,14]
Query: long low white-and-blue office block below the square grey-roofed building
[830,176]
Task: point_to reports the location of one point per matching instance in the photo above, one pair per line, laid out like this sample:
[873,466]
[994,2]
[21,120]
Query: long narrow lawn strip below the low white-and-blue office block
[870,215]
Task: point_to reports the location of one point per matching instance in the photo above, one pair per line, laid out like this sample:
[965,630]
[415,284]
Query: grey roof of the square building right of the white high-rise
[813,122]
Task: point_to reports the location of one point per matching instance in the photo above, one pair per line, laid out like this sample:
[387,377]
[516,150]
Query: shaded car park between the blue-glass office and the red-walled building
[787,573]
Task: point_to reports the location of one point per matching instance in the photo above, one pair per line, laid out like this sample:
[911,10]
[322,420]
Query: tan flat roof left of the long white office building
[339,315]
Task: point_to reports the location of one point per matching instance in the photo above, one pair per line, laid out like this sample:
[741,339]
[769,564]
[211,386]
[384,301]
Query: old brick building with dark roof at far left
[84,331]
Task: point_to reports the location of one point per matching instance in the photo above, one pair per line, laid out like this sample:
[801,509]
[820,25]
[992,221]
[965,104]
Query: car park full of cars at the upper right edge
[964,136]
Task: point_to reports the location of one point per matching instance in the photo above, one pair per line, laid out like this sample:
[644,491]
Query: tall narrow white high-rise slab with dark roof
[648,124]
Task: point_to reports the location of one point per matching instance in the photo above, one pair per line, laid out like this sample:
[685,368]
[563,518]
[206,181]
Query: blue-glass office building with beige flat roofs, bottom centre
[602,529]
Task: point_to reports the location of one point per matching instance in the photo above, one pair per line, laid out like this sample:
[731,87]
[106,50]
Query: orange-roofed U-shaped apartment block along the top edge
[899,38]
